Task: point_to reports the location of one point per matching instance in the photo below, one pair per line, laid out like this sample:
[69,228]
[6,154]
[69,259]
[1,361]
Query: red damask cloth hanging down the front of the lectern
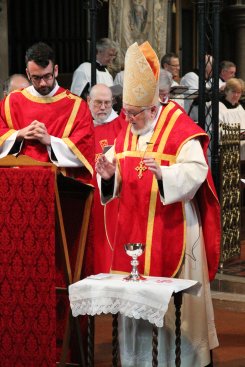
[27,268]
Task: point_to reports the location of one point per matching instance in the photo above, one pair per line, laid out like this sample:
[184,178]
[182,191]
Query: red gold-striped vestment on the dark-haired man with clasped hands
[65,116]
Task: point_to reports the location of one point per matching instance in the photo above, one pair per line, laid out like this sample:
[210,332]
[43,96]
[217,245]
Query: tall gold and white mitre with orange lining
[141,76]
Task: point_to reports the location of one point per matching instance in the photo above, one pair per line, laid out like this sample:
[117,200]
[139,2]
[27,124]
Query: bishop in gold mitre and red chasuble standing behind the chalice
[158,169]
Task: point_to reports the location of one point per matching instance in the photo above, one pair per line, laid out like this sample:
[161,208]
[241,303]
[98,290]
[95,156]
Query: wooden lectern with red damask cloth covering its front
[43,230]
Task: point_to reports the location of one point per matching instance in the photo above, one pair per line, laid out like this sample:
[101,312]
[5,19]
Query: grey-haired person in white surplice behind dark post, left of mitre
[106,52]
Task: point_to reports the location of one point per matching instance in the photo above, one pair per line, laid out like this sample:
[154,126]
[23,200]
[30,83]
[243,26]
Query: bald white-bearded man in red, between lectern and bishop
[107,126]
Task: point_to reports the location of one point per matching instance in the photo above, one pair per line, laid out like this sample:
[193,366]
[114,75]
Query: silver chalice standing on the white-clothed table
[134,250]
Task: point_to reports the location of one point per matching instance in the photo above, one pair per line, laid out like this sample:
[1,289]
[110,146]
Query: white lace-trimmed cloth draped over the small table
[109,293]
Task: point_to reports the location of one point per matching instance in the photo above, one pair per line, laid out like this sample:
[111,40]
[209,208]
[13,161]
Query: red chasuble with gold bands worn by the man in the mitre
[143,218]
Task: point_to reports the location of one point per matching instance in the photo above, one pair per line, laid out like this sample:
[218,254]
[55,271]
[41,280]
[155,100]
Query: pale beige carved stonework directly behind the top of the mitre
[138,21]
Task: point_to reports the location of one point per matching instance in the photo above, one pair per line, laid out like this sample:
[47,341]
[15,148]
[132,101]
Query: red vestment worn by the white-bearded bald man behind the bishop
[104,216]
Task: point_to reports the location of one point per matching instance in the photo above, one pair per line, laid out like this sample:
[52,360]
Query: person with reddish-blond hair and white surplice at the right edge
[230,109]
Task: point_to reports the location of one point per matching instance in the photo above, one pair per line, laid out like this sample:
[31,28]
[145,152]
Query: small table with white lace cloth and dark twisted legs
[148,299]
